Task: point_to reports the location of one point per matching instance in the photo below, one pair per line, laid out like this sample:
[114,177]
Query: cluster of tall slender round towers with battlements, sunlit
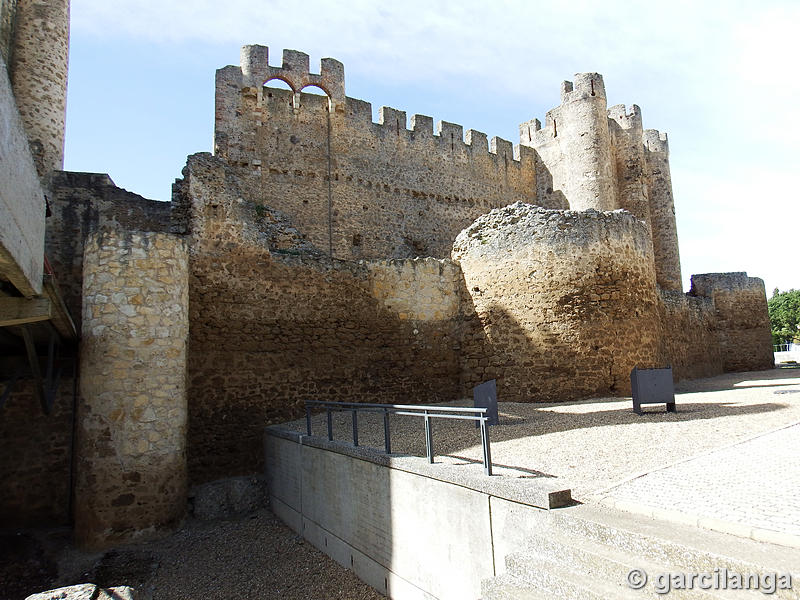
[590,156]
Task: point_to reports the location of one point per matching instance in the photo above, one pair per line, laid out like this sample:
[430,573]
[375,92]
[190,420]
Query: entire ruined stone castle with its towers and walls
[316,254]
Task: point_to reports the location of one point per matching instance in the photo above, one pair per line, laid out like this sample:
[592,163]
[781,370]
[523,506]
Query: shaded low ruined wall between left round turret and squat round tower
[273,324]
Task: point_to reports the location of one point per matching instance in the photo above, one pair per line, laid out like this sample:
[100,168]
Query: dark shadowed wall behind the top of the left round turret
[83,203]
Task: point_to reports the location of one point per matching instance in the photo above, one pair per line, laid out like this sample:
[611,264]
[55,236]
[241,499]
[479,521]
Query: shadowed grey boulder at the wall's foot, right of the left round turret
[230,497]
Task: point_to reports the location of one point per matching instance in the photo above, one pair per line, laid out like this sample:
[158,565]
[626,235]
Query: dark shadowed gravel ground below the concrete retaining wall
[255,557]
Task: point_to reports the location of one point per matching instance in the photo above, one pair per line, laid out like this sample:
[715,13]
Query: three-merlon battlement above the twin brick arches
[294,71]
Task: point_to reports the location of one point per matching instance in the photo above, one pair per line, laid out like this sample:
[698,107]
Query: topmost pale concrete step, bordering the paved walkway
[675,547]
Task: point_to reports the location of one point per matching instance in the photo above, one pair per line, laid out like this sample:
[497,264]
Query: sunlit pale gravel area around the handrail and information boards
[593,444]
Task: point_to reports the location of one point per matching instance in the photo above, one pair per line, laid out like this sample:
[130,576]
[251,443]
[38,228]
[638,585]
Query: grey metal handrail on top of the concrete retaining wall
[427,412]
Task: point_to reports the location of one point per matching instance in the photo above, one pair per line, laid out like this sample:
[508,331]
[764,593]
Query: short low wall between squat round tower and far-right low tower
[690,335]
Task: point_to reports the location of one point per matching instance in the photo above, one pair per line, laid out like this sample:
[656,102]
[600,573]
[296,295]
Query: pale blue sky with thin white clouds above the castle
[719,77]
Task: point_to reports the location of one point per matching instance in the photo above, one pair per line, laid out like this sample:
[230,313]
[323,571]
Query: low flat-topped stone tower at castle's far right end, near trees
[743,328]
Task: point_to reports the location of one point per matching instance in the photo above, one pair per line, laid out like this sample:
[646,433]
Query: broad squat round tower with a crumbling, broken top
[567,301]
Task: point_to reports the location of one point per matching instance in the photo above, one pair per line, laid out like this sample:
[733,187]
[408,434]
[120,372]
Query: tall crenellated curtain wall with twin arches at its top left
[362,189]
